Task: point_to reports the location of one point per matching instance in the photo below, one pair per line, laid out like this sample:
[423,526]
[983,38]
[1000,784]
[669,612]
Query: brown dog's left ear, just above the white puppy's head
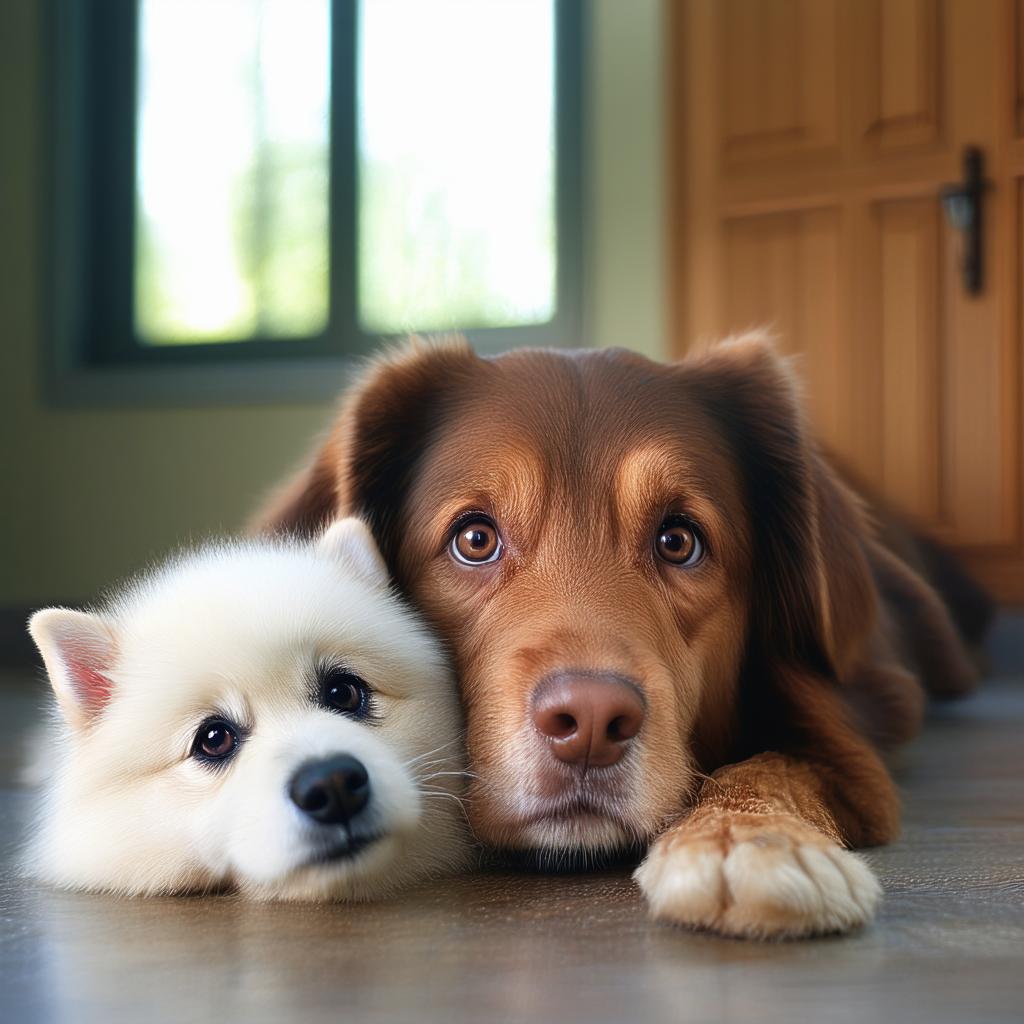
[365,464]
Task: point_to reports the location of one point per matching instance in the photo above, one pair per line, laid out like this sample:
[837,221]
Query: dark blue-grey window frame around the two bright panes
[90,206]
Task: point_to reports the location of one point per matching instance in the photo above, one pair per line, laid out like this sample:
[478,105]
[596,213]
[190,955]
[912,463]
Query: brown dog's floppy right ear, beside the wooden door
[815,600]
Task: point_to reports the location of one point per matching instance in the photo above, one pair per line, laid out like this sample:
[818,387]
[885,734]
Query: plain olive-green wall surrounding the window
[93,494]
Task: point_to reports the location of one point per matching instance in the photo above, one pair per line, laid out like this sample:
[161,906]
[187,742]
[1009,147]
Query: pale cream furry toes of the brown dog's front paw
[757,876]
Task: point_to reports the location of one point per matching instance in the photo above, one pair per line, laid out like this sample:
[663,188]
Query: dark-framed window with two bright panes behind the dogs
[260,180]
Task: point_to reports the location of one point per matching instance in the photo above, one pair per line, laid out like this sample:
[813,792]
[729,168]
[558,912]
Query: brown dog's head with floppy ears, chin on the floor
[611,547]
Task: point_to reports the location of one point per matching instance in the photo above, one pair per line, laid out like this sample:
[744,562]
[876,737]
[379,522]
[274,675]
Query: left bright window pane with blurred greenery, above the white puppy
[232,187]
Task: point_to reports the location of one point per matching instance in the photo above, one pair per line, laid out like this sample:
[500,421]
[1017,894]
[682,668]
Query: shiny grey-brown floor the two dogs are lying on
[948,947]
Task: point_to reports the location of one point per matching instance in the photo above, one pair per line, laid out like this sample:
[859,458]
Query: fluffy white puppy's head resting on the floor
[264,715]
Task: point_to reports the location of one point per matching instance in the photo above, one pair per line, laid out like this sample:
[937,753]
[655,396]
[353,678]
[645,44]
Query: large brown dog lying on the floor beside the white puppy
[673,623]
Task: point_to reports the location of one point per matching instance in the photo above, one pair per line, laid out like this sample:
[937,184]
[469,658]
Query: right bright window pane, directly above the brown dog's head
[457,165]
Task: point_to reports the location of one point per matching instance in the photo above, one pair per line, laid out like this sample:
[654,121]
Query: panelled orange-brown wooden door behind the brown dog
[810,142]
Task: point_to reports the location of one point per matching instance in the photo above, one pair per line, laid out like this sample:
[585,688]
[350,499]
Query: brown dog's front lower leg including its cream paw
[761,856]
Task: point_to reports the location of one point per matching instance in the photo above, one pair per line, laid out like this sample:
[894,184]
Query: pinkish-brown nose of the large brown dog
[587,719]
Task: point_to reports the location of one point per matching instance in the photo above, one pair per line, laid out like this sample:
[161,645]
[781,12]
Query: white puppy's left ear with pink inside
[79,651]
